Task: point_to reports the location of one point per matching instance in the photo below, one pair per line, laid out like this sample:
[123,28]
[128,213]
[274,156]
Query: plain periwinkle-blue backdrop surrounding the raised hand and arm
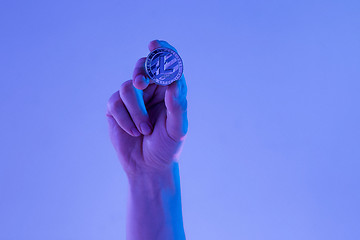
[273,89]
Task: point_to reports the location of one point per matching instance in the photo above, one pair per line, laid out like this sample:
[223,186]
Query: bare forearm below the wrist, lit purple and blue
[154,206]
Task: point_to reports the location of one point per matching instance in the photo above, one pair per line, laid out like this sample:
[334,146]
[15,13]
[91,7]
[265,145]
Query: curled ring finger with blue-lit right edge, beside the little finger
[134,103]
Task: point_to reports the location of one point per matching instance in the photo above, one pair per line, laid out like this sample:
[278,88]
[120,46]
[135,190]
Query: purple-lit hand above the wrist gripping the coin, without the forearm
[140,103]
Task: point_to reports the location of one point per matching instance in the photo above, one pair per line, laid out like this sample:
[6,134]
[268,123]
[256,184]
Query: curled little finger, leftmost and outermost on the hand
[117,111]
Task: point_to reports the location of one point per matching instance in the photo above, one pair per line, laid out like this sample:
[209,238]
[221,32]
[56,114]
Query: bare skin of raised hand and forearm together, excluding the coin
[150,157]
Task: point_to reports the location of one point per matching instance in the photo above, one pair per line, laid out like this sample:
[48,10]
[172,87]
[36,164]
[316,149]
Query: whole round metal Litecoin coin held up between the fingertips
[164,66]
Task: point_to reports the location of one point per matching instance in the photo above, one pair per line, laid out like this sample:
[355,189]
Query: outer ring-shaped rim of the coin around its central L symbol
[148,65]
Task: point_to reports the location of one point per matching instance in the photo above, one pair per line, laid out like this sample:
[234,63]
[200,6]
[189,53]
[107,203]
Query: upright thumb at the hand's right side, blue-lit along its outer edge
[176,109]
